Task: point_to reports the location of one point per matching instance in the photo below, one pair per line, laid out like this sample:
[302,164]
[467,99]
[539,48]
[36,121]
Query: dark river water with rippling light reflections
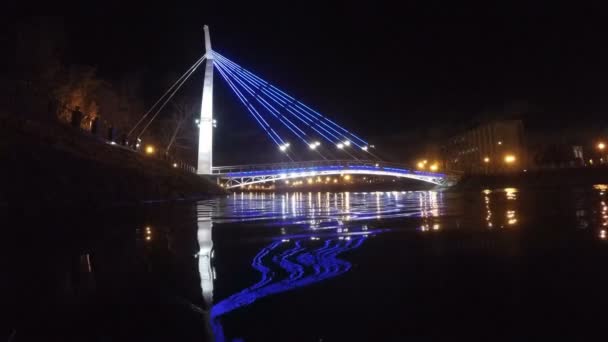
[493,264]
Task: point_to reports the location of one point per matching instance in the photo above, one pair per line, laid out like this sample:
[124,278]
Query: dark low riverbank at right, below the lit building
[538,178]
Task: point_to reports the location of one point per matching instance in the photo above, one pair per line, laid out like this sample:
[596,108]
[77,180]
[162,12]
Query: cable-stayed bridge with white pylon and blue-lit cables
[297,131]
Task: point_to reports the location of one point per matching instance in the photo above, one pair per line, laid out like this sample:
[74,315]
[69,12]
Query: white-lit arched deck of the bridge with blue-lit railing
[243,175]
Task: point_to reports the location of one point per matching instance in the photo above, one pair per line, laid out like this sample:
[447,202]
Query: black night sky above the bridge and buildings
[384,71]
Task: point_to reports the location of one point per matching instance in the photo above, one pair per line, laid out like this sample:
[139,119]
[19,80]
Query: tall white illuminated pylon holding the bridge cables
[205,137]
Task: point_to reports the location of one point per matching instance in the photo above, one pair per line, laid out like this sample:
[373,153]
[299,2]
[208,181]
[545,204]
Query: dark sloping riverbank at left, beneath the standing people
[55,165]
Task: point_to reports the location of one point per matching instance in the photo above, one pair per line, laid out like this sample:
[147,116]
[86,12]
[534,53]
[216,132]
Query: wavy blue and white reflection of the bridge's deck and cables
[315,229]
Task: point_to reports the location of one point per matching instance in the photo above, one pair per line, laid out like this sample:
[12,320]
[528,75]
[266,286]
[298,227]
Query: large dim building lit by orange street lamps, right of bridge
[494,147]
